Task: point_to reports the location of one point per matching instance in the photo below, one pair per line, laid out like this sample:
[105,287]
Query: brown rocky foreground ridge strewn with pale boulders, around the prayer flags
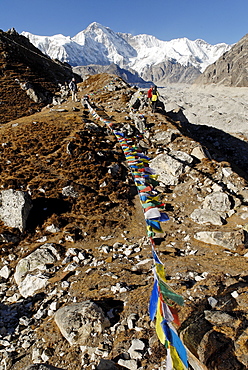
[76,274]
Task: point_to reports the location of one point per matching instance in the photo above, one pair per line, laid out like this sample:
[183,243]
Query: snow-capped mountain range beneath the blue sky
[100,45]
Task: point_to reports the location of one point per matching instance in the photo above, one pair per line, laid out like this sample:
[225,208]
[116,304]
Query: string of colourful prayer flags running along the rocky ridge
[163,298]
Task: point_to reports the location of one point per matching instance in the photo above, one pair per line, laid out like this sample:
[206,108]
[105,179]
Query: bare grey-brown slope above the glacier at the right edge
[230,69]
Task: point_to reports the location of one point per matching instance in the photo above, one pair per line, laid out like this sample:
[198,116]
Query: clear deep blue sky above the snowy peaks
[211,20]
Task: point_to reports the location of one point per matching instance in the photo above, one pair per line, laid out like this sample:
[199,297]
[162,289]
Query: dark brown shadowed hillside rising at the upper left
[25,70]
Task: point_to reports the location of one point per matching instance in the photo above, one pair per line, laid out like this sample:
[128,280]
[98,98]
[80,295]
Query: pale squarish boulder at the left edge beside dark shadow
[15,208]
